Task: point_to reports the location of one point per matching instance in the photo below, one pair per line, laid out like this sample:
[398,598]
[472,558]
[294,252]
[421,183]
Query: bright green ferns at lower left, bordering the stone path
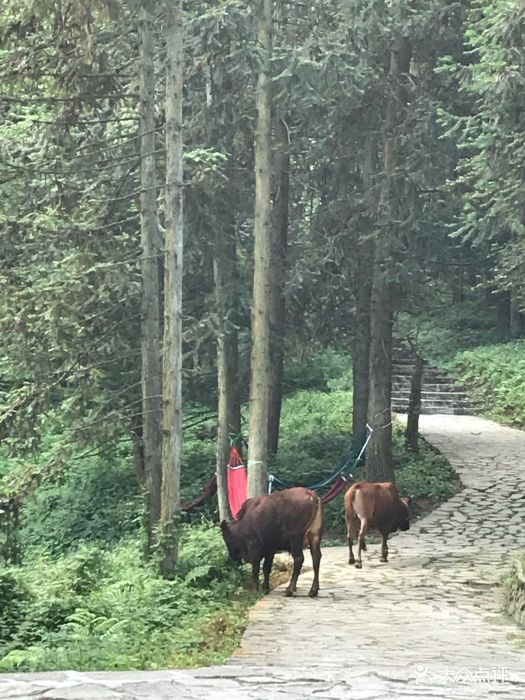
[106,609]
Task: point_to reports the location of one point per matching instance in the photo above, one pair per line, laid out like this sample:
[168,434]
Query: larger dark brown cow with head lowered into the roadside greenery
[276,523]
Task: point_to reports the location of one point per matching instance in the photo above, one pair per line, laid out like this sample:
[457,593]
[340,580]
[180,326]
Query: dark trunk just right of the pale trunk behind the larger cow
[279,245]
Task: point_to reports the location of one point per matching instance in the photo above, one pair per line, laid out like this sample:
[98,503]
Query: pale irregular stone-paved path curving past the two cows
[426,625]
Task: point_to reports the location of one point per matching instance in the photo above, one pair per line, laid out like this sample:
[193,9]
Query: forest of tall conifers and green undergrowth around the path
[218,220]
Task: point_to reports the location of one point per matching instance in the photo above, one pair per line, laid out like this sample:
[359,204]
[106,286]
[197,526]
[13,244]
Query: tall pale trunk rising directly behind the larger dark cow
[260,356]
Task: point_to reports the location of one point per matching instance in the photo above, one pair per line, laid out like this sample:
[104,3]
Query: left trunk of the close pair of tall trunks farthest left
[151,376]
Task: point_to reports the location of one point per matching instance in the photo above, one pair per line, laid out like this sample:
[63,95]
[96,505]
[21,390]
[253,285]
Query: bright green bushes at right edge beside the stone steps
[494,373]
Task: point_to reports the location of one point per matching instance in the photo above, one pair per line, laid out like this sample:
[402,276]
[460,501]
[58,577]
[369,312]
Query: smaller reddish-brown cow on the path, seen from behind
[377,506]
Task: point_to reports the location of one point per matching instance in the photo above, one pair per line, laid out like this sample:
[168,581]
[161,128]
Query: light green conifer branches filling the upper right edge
[491,123]
